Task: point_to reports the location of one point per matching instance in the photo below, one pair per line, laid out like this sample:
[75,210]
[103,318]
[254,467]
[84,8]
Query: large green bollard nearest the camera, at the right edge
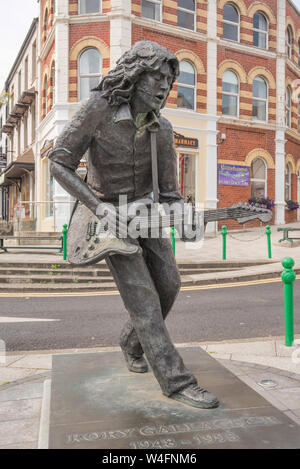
[288,276]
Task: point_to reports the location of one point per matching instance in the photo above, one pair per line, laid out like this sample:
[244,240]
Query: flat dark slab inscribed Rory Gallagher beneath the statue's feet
[97,403]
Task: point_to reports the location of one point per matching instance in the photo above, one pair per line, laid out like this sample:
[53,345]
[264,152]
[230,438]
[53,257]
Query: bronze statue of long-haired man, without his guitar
[115,124]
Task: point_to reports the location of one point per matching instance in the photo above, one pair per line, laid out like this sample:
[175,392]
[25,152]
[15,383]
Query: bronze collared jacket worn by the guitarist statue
[118,152]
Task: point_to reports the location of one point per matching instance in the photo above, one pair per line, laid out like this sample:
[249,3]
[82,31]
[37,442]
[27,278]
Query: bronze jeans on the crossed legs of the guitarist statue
[148,284]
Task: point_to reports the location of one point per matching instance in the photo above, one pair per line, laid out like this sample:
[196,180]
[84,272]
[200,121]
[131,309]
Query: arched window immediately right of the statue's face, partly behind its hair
[186,85]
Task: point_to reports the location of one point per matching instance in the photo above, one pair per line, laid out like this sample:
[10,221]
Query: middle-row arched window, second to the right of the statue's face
[230,94]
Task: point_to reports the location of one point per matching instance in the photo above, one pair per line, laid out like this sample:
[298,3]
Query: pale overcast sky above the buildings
[16,18]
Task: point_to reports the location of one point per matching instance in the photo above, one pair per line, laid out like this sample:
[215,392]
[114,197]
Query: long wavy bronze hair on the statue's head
[144,56]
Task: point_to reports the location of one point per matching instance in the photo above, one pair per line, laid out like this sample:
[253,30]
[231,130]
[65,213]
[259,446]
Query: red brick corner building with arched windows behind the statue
[234,108]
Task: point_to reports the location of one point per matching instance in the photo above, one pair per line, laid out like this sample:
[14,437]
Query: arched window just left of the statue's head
[90,68]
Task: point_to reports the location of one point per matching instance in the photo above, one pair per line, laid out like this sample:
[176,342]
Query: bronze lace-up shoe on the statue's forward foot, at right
[195,396]
